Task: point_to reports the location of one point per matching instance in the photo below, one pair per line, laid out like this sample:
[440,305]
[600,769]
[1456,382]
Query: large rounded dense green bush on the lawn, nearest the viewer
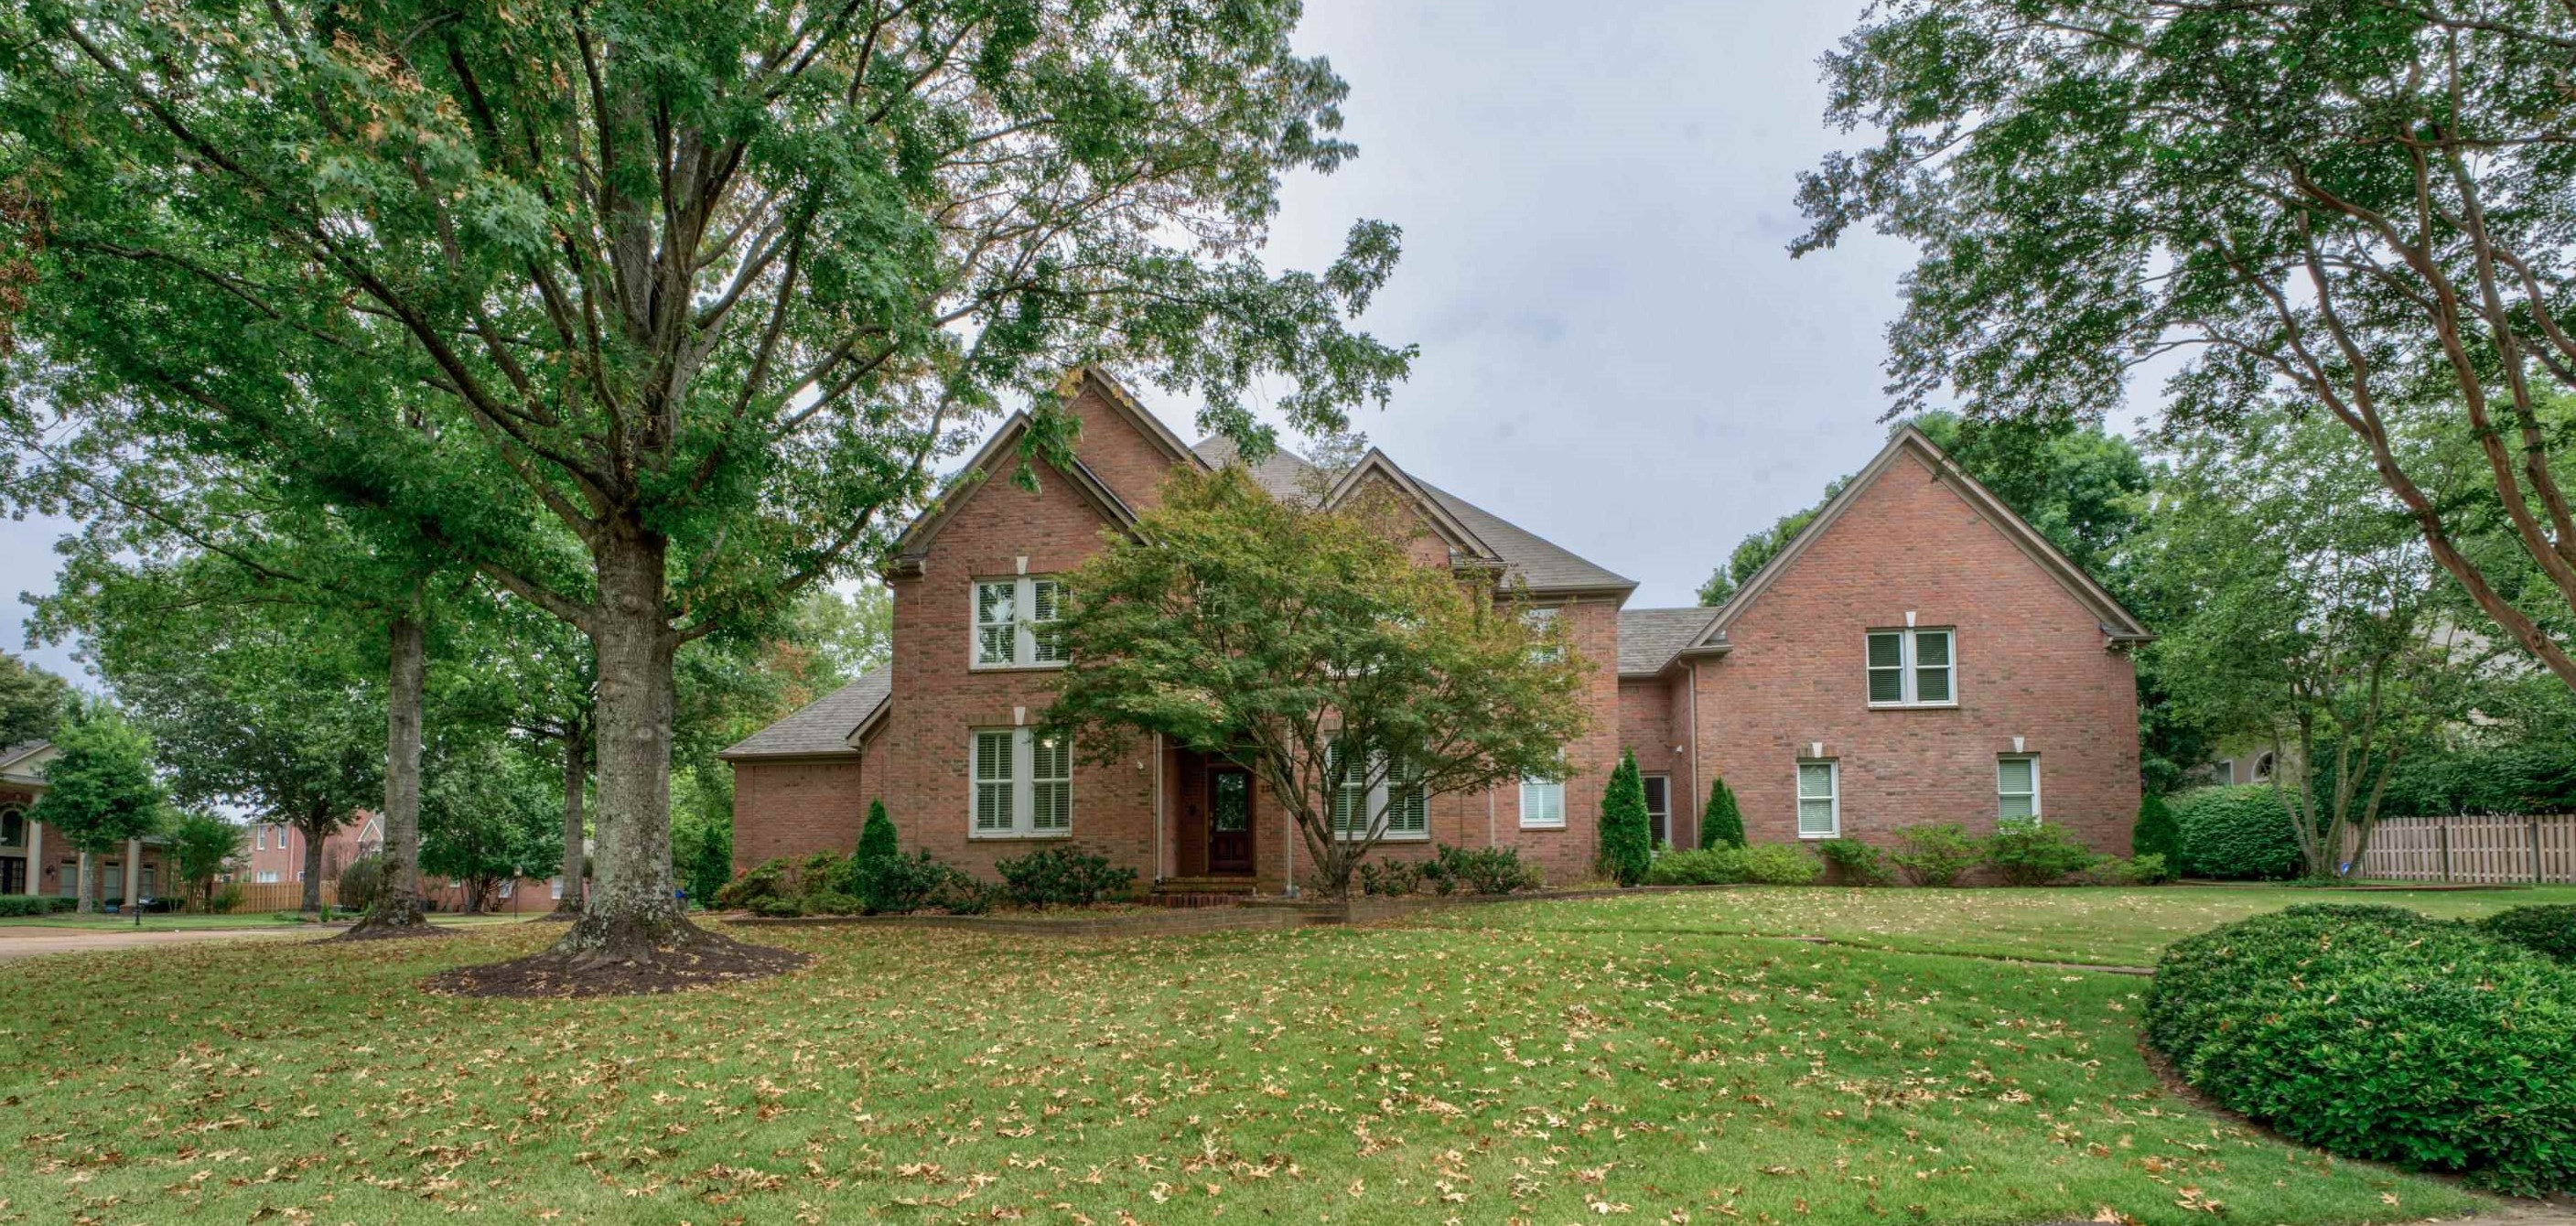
[2382,1034]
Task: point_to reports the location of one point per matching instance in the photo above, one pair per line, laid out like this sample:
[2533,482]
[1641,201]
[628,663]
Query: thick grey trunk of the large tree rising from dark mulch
[632,910]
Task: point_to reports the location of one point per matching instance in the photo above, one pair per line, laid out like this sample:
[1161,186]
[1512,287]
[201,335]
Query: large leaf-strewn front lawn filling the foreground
[1544,1062]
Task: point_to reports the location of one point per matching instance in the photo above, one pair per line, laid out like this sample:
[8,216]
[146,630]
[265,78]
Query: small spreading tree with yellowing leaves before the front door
[1310,648]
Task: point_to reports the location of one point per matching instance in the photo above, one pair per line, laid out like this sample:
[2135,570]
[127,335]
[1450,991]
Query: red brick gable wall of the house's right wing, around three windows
[2031,663]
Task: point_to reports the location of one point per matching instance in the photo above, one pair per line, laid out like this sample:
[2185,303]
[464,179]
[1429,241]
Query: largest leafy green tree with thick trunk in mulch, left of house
[661,313]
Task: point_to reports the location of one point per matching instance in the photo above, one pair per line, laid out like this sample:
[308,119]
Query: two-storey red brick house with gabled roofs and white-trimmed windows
[1861,684]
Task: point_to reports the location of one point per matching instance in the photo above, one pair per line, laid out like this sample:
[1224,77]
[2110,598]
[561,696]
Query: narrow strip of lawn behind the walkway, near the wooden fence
[2070,926]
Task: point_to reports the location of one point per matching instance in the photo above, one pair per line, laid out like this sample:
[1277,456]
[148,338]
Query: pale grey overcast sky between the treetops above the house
[1616,349]
